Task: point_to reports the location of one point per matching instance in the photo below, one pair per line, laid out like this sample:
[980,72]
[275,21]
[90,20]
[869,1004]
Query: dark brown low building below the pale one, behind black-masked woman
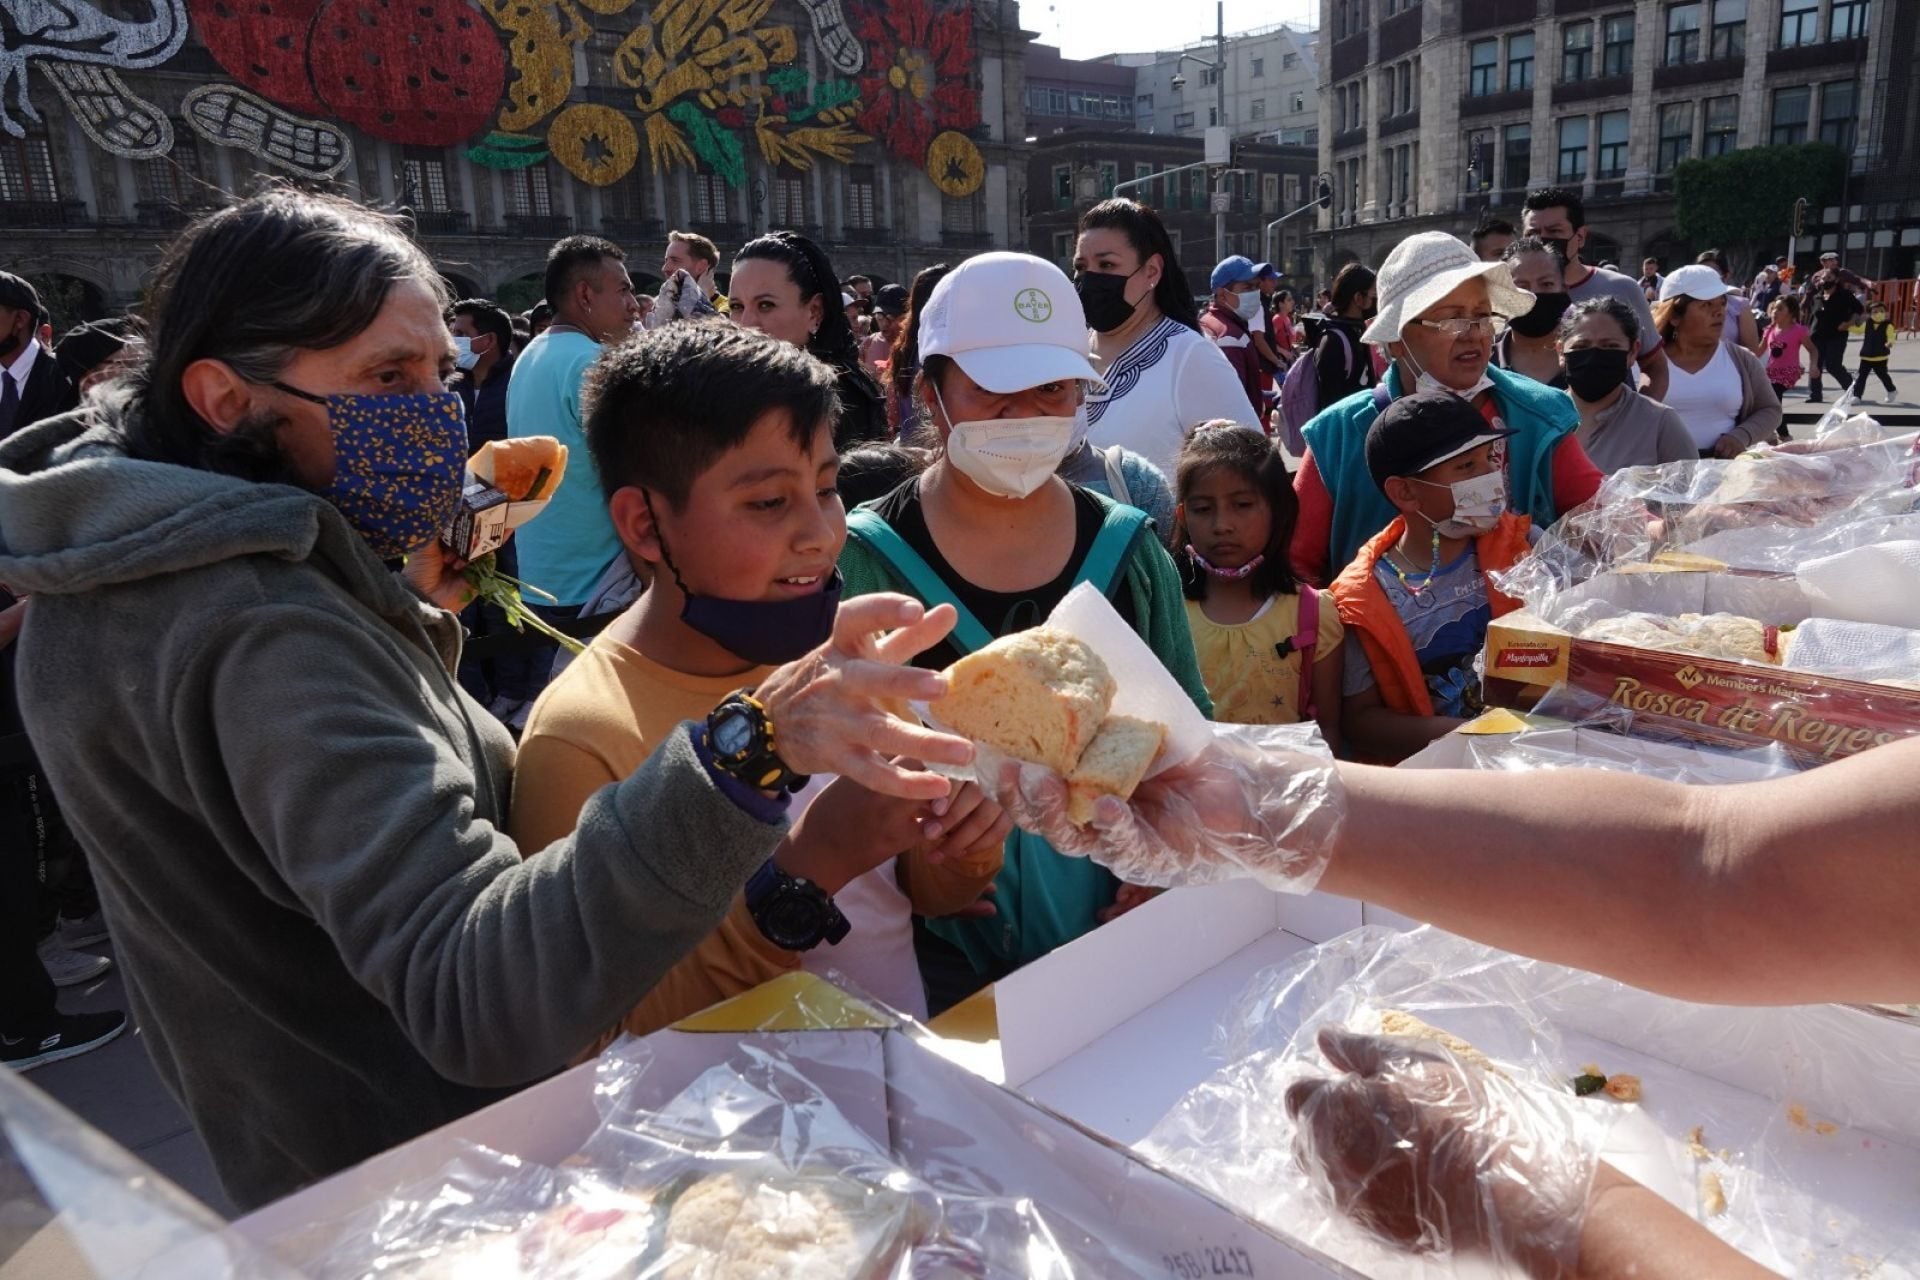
[1070,174]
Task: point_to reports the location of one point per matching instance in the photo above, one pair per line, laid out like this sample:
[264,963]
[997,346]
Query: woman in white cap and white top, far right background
[1717,387]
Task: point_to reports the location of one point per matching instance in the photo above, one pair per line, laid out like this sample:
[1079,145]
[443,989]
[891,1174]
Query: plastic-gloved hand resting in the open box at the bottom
[1435,1156]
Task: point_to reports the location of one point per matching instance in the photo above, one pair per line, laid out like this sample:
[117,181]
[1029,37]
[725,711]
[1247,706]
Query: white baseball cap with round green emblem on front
[1011,321]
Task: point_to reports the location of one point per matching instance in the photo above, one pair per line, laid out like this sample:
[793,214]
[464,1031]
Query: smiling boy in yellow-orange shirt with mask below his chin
[715,448]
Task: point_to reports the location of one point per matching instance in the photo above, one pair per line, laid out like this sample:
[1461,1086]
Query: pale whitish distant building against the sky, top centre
[1272,80]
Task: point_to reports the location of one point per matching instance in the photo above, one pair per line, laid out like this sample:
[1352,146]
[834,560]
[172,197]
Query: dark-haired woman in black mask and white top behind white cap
[1159,375]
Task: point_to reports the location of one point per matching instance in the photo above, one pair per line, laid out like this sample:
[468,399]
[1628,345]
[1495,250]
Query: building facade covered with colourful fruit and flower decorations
[888,130]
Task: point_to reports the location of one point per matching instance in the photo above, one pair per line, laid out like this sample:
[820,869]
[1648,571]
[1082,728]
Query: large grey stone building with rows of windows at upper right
[1435,112]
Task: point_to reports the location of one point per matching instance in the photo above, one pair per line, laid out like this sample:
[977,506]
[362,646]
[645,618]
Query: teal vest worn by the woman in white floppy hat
[1539,417]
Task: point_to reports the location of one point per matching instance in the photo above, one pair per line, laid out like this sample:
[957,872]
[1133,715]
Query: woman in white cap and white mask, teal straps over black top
[996,533]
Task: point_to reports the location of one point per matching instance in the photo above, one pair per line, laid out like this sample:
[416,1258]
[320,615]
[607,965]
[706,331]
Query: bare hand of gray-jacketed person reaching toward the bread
[827,707]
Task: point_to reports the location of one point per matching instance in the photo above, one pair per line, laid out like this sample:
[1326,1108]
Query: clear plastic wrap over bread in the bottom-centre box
[748,1173]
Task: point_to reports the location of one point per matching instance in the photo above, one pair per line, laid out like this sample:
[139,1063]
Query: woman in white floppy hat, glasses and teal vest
[1439,314]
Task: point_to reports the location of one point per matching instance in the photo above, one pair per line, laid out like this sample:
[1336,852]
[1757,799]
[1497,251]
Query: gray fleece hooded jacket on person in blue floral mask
[295,817]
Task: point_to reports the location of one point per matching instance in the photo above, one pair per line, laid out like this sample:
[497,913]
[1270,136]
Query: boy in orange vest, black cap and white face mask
[1416,600]
